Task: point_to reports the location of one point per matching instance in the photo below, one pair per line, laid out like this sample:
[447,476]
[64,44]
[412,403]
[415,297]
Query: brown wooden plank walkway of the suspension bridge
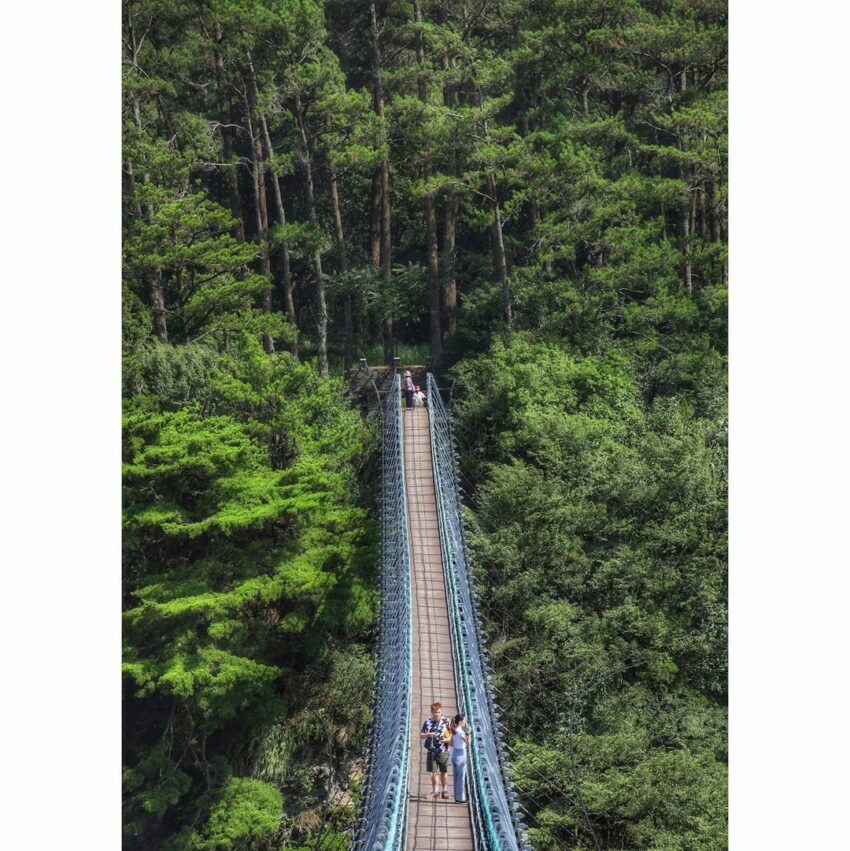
[431,825]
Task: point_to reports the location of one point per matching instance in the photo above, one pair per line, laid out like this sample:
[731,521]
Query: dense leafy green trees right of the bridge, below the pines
[599,532]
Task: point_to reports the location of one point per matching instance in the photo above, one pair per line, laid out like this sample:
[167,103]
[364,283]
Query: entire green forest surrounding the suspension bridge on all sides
[533,191]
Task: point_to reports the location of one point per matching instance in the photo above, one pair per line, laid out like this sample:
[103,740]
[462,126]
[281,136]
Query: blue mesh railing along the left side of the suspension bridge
[383,815]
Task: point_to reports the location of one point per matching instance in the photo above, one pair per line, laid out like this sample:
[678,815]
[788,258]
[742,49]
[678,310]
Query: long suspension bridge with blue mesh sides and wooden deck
[430,648]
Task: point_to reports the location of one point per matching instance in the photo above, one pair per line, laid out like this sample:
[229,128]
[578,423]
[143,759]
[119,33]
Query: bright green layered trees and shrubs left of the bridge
[247,573]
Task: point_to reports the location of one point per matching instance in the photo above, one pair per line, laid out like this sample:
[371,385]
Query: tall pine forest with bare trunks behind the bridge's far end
[572,154]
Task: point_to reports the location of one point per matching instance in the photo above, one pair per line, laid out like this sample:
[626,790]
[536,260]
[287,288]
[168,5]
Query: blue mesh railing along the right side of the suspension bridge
[496,814]
